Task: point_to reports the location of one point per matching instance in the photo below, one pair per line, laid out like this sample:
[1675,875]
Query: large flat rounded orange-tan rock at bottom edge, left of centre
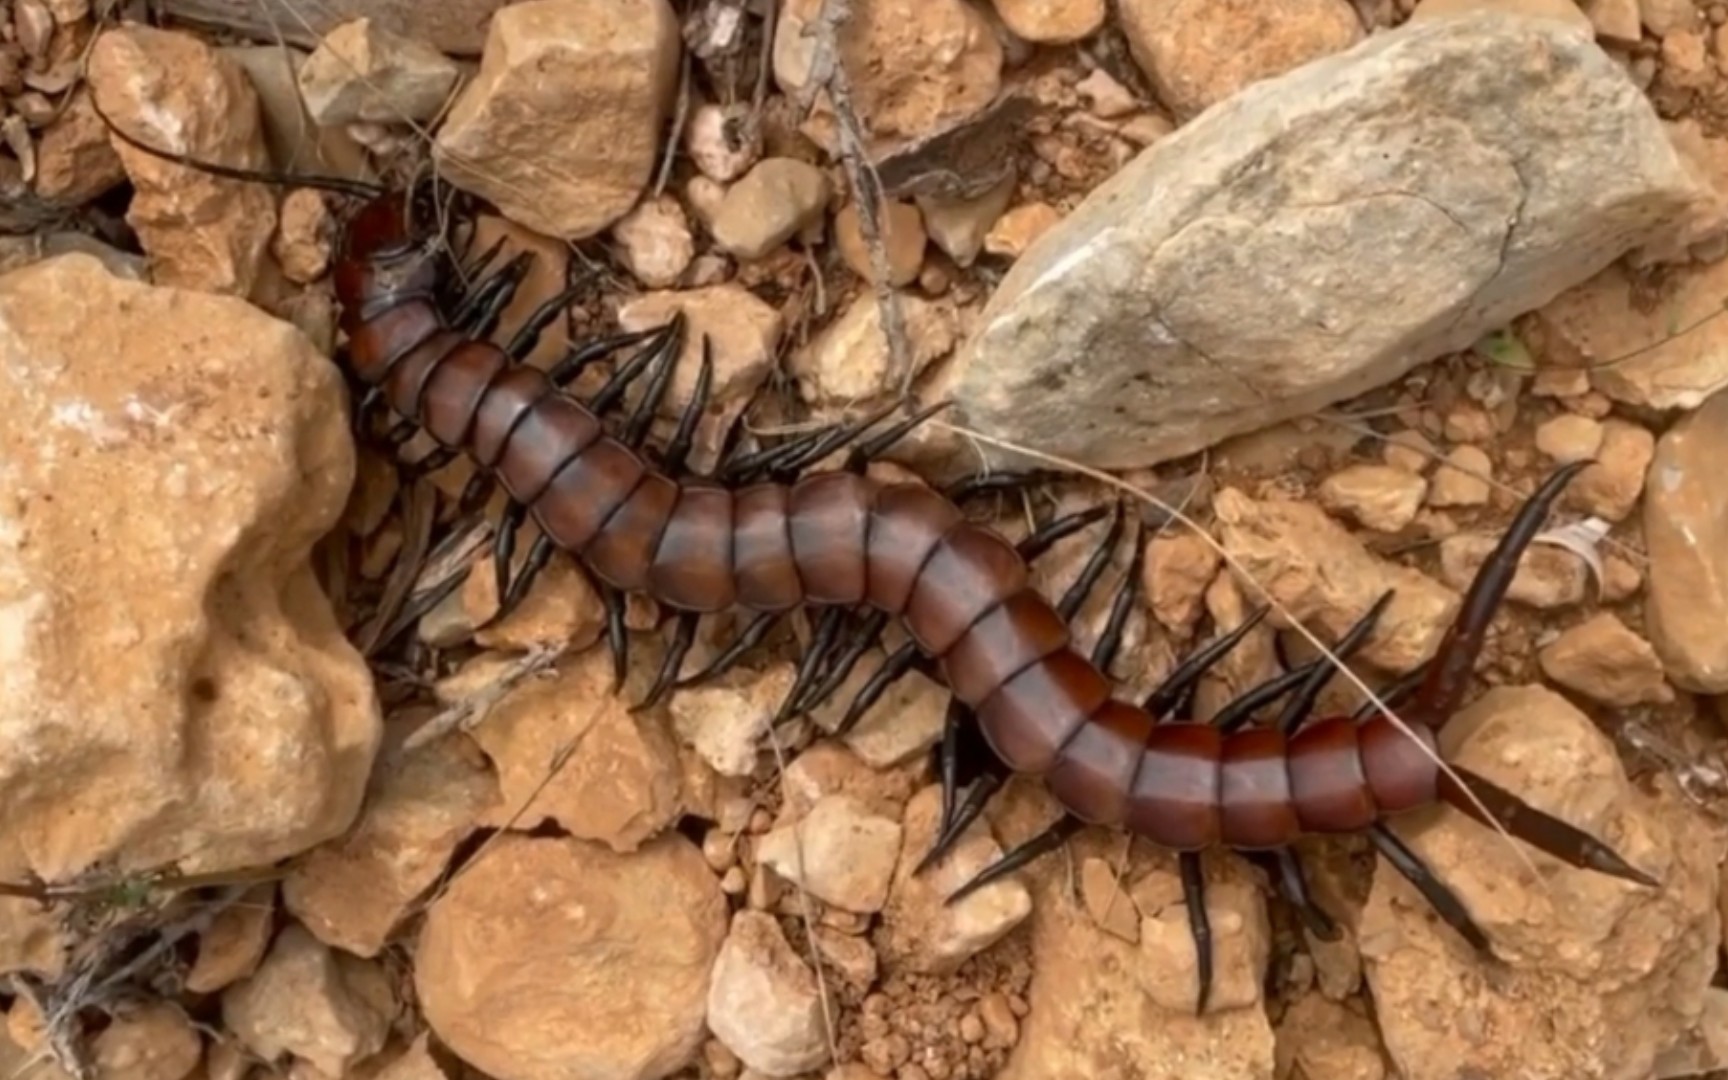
[552,958]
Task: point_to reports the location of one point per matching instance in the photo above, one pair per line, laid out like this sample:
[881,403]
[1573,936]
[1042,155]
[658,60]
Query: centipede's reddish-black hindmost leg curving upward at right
[1451,673]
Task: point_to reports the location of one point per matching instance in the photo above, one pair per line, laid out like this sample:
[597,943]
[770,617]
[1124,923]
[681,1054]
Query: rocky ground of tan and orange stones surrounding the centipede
[1321,289]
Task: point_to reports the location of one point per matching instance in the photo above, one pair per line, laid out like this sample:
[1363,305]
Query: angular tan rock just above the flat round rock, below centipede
[569,751]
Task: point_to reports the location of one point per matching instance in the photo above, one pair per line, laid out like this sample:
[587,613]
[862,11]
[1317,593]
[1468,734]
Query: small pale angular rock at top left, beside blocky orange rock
[364,72]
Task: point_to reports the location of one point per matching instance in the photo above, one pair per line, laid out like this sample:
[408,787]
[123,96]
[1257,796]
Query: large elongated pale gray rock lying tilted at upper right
[1321,234]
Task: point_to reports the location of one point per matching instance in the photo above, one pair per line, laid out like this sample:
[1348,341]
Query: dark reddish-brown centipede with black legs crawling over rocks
[768,533]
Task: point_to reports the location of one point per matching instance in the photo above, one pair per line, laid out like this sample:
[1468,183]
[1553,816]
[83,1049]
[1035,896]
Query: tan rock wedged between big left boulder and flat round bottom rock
[352,894]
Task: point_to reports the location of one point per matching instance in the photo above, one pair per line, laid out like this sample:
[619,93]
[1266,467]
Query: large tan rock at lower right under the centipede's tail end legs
[1596,975]
